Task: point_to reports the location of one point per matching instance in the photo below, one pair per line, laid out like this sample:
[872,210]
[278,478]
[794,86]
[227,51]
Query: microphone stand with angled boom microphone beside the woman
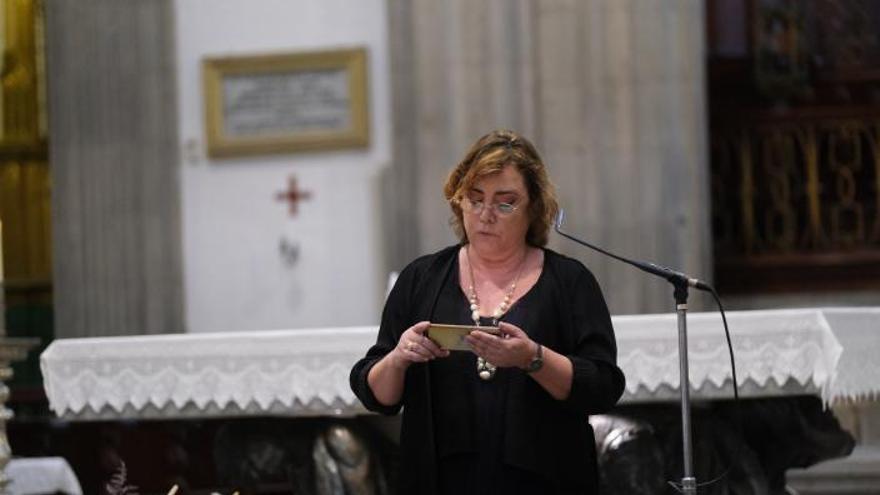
[680,283]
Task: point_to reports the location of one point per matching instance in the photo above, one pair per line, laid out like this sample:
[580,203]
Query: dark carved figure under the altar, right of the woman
[778,434]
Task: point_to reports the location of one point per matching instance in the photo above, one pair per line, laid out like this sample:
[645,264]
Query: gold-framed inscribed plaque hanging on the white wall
[278,103]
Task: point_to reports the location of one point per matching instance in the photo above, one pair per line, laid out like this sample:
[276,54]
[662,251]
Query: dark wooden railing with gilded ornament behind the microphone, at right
[795,201]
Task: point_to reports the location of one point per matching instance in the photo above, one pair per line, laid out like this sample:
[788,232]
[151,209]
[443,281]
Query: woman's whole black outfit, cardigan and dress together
[461,434]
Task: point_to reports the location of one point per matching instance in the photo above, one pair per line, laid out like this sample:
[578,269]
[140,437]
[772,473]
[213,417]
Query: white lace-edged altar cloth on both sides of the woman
[305,372]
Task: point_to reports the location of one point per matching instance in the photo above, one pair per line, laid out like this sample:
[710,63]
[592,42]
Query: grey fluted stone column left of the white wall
[114,157]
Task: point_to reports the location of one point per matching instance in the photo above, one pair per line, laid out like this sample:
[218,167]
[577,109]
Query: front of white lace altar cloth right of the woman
[771,348]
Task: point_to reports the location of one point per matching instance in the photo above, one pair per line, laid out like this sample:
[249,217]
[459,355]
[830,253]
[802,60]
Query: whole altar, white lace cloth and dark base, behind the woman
[222,394]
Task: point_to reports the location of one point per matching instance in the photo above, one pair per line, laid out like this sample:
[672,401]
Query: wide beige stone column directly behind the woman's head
[611,91]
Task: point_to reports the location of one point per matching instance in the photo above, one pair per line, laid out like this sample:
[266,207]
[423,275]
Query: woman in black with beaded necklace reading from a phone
[511,417]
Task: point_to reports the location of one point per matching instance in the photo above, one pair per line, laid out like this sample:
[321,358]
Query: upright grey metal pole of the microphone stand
[688,482]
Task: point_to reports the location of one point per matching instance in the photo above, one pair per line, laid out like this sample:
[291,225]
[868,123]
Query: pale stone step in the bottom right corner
[858,474]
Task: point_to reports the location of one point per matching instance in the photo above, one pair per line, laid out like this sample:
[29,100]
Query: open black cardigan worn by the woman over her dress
[542,434]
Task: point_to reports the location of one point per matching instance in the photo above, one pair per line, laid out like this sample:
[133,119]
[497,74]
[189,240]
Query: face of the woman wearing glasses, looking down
[494,228]
